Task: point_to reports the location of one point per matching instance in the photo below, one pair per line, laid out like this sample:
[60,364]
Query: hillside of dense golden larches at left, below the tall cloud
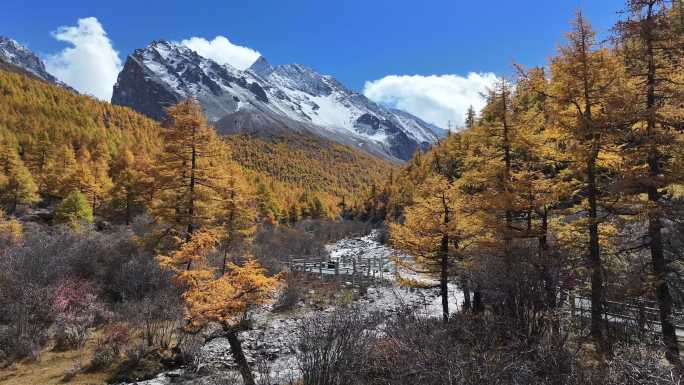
[55,141]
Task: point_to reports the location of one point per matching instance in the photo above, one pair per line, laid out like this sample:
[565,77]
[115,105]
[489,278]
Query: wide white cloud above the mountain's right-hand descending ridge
[437,99]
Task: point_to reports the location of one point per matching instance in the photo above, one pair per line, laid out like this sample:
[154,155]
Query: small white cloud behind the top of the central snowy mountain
[222,51]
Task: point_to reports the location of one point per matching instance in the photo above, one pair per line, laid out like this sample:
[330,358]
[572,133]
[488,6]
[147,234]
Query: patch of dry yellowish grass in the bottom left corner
[51,366]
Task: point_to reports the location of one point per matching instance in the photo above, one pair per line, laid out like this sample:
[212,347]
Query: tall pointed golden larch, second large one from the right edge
[585,85]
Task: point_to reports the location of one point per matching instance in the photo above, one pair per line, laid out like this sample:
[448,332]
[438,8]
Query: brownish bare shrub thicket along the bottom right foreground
[468,350]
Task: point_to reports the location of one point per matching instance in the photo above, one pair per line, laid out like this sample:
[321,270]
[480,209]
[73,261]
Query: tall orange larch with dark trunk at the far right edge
[653,52]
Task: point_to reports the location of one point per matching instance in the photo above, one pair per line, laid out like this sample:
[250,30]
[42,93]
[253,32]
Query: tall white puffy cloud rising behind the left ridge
[90,64]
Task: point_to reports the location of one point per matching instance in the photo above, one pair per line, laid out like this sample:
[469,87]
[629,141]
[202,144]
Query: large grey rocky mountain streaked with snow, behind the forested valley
[266,100]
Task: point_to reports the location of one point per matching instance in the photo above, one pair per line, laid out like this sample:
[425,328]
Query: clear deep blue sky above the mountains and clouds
[355,41]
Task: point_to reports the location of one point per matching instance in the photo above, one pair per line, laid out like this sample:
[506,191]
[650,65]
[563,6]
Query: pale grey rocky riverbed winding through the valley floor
[270,345]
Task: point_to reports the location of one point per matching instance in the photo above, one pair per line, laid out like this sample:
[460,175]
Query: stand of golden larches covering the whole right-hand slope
[569,174]
